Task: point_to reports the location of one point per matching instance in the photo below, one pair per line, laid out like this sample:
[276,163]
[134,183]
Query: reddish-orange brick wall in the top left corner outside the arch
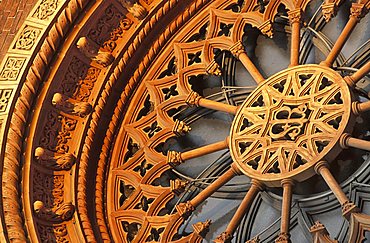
[12,15]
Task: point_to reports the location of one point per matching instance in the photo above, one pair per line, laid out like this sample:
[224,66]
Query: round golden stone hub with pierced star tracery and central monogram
[290,122]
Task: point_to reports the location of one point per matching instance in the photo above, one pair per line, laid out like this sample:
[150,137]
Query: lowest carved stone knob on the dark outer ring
[63,212]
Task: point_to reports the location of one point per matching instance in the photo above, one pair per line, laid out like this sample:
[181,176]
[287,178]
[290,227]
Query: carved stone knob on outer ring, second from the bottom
[54,161]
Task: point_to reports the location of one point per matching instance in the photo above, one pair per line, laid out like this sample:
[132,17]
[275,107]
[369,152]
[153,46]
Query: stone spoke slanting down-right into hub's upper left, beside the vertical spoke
[239,52]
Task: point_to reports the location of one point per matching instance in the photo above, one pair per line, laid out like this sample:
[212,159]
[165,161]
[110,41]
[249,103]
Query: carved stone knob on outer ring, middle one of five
[71,106]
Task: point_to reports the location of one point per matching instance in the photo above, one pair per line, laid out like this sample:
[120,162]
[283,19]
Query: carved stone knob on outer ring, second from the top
[91,51]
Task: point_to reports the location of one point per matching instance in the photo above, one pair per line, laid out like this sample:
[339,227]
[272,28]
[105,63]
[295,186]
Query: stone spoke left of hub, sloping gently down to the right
[194,99]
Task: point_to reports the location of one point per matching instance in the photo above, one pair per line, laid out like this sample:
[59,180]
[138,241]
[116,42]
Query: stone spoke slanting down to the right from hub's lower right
[348,207]
